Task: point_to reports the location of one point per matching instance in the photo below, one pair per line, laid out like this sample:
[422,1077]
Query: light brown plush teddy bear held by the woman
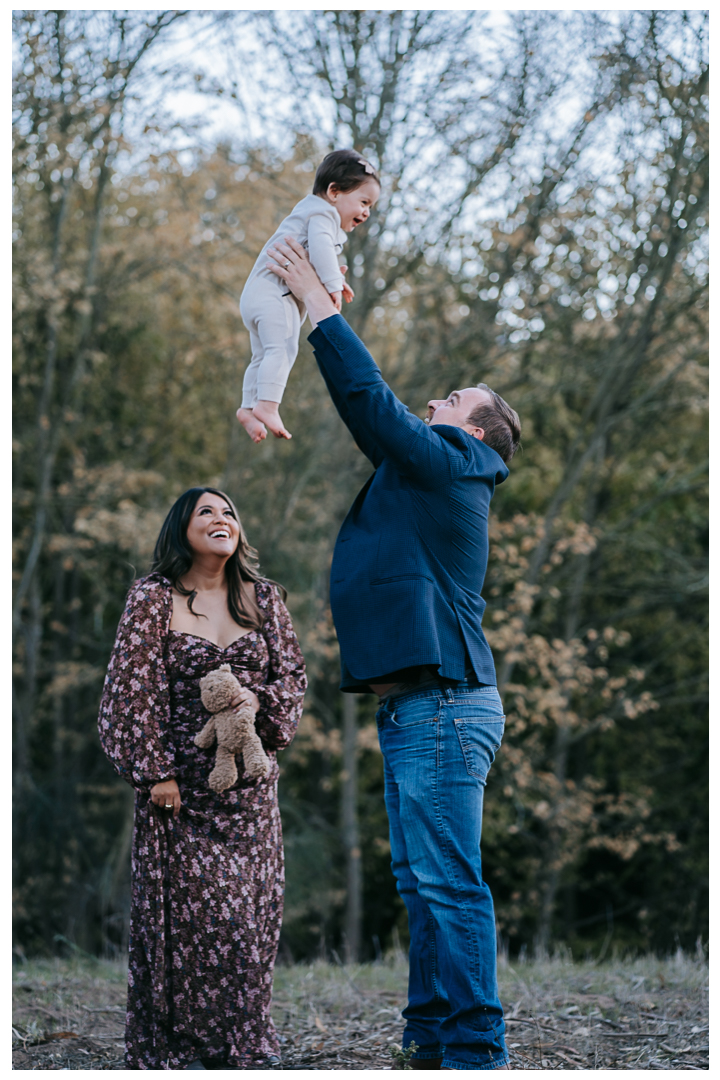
[235,731]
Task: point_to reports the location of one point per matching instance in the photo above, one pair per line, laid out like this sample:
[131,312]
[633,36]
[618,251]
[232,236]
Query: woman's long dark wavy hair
[173,558]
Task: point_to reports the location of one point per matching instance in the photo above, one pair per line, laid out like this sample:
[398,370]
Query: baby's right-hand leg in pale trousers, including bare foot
[280,341]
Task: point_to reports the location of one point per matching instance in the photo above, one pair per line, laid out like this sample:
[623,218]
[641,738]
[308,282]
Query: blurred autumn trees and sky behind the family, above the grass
[544,228]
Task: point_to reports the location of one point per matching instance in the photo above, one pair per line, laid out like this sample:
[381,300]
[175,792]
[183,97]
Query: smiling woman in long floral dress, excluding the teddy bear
[208,870]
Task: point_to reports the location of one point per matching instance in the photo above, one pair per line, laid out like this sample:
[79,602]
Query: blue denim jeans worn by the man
[439,746]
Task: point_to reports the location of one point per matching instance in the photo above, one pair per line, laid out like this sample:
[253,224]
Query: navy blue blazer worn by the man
[412,555]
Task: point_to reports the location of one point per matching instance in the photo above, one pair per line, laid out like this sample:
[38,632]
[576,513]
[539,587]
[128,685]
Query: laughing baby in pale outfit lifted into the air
[346,190]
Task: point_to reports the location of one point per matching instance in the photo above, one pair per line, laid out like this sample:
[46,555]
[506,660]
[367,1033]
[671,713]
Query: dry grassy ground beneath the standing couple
[623,1015]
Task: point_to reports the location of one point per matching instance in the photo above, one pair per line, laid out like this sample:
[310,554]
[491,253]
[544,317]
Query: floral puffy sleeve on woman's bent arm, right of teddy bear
[281,698]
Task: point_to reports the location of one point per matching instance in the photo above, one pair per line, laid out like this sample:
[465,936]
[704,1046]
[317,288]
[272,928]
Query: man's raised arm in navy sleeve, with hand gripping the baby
[381,424]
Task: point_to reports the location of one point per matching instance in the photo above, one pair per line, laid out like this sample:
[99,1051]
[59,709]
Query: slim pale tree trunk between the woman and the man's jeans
[351,831]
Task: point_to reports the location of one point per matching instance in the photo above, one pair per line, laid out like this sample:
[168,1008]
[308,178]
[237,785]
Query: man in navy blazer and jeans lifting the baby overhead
[405,591]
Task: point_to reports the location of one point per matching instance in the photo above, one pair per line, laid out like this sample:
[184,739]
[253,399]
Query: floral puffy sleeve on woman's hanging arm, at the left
[135,705]
